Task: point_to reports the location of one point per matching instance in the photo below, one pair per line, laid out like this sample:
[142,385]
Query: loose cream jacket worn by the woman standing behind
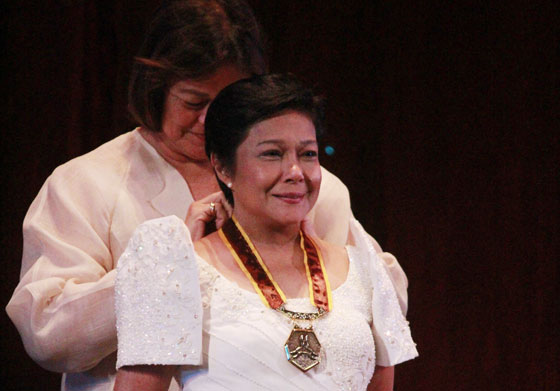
[77,228]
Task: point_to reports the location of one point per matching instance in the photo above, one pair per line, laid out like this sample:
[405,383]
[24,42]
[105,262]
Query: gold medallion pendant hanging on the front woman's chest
[303,348]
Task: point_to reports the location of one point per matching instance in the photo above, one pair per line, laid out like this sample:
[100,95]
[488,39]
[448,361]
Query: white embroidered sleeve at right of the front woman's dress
[391,332]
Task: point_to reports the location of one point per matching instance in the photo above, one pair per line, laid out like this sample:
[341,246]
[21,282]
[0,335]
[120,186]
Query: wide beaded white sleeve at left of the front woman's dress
[157,297]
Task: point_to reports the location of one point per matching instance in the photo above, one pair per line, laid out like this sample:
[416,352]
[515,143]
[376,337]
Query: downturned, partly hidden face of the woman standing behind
[185,111]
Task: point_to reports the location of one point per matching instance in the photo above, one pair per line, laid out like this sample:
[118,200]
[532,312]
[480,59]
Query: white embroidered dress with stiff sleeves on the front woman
[241,342]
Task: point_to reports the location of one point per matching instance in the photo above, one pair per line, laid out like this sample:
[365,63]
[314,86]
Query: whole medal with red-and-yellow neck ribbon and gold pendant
[302,348]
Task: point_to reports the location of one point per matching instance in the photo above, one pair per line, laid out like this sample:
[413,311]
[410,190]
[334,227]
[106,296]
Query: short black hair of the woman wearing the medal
[246,102]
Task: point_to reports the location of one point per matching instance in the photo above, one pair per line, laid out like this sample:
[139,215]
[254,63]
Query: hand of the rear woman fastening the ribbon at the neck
[206,212]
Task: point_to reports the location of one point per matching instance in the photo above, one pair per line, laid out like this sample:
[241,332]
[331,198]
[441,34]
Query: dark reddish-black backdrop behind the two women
[444,117]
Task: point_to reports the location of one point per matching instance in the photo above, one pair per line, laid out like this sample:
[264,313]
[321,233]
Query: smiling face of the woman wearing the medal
[277,175]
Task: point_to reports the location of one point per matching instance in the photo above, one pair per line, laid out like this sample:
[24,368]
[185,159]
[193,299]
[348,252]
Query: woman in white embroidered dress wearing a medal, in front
[261,304]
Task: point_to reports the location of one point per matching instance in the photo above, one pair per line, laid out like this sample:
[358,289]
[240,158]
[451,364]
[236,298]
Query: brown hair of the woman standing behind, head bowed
[191,39]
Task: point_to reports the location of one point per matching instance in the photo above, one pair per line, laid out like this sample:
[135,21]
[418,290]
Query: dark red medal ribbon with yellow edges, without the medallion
[251,263]
